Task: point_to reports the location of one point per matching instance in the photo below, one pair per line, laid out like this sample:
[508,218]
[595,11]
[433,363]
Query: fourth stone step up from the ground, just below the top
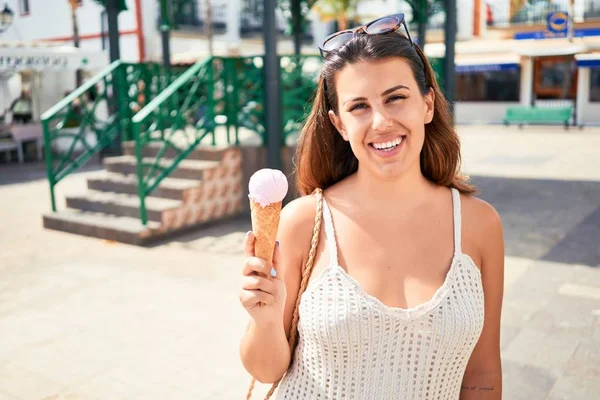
[187,169]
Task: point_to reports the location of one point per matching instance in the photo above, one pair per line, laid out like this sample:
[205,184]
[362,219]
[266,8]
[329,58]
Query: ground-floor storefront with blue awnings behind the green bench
[556,73]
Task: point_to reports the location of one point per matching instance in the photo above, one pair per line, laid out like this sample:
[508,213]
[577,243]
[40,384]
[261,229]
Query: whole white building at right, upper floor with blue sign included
[531,53]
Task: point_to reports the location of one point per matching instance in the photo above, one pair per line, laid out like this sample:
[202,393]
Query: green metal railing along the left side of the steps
[92,117]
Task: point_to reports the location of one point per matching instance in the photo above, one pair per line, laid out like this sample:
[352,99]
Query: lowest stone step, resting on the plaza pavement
[103,226]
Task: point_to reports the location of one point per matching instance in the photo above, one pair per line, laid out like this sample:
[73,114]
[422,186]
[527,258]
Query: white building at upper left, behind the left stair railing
[42,35]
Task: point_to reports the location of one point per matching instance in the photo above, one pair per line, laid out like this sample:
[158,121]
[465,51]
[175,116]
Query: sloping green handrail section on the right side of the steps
[166,119]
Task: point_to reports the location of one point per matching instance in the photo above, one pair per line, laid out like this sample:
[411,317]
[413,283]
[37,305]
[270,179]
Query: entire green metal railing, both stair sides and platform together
[174,109]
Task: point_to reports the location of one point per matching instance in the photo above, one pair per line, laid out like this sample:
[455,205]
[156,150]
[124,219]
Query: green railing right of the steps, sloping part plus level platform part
[217,91]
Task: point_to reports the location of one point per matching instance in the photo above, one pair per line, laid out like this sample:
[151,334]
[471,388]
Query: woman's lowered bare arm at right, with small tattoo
[483,376]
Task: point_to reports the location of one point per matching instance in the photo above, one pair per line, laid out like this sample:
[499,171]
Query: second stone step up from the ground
[124,205]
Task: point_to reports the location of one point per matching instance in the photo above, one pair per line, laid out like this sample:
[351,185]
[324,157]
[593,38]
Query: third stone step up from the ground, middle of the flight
[168,188]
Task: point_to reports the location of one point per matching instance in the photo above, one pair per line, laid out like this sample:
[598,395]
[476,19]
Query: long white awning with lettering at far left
[21,57]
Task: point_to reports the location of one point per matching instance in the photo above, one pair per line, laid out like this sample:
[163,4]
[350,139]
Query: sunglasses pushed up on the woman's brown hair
[380,26]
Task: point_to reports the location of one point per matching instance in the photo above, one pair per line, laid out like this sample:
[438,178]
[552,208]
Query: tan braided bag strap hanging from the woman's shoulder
[303,284]
